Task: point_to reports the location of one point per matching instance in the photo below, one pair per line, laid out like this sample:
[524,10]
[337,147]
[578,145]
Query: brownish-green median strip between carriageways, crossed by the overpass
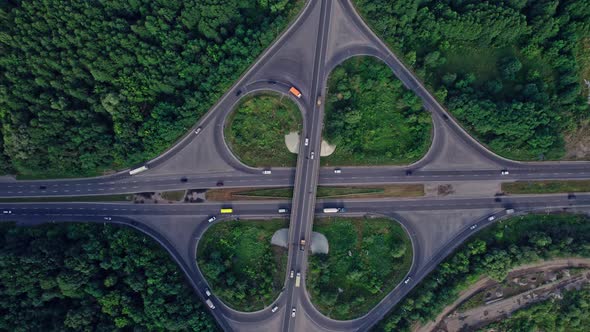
[396,190]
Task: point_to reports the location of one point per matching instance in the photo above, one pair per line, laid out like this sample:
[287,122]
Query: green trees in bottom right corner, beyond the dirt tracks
[571,314]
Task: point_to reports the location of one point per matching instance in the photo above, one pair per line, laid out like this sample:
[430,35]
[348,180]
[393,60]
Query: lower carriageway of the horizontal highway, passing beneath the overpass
[252,209]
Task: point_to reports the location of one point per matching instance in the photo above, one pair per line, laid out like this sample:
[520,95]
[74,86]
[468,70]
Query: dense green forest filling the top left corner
[89,86]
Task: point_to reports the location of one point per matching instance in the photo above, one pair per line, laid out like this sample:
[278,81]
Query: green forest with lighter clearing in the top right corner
[509,70]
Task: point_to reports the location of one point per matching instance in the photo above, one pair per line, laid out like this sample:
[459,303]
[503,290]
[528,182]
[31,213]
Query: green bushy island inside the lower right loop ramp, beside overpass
[367,259]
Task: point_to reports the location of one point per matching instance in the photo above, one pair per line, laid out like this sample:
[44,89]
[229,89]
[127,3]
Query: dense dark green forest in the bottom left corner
[92,277]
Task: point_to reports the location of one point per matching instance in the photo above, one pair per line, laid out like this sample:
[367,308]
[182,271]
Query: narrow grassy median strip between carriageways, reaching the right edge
[545,187]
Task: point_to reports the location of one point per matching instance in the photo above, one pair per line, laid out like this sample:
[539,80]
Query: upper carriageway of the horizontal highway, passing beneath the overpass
[281,177]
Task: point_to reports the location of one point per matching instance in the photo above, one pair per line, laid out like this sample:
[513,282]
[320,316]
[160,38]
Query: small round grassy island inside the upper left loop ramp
[256,130]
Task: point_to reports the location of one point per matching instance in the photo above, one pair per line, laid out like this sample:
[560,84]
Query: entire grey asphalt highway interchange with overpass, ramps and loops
[202,159]
